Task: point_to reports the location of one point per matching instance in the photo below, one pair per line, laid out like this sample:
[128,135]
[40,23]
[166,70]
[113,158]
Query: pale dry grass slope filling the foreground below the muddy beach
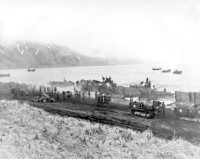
[28,132]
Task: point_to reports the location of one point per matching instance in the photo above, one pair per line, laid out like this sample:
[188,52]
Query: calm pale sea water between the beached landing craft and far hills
[125,75]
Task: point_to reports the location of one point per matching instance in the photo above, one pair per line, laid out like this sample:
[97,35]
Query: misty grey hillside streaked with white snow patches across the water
[27,54]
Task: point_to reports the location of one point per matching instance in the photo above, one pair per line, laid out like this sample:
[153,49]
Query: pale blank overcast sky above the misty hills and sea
[164,30]
